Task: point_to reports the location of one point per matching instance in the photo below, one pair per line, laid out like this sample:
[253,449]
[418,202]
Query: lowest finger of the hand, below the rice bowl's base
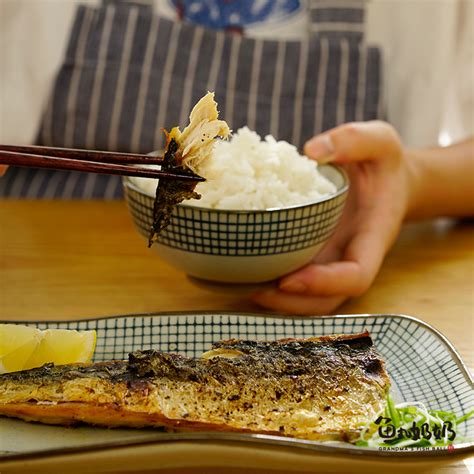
[297,304]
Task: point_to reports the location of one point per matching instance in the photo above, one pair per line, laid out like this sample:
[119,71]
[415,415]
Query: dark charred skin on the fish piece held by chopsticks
[169,193]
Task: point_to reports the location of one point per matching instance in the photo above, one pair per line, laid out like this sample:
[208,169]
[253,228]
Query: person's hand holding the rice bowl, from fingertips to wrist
[373,157]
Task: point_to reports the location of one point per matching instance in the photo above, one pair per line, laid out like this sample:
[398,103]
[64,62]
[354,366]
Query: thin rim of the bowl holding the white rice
[127,182]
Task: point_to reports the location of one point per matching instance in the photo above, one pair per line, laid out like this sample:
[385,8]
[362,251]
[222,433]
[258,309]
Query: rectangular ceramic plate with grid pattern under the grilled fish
[421,362]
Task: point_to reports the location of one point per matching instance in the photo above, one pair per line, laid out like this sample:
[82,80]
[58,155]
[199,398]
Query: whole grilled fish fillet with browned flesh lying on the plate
[320,388]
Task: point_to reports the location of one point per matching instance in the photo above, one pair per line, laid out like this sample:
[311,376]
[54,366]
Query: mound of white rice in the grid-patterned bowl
[246,173]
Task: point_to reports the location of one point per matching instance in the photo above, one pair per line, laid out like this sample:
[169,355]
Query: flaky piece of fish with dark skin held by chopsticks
[185,151]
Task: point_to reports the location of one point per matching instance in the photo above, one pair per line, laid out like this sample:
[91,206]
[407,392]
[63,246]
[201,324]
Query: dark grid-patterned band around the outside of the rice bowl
[239,233]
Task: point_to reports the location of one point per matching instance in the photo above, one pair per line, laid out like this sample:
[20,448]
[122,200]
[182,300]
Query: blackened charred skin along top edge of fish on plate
[260,359]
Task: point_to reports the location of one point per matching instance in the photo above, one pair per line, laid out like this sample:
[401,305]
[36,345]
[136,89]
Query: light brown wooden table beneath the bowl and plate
[70,260]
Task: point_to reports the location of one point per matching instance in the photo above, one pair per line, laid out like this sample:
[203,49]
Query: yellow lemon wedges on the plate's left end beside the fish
[24,347]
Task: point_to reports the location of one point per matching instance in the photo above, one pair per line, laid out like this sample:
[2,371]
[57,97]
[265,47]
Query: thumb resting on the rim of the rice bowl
[351,142]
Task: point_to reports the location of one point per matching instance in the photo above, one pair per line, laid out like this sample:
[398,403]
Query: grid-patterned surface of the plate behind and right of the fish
[421,363]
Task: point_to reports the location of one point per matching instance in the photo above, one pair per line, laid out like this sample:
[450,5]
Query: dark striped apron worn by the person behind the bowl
[128,73]
